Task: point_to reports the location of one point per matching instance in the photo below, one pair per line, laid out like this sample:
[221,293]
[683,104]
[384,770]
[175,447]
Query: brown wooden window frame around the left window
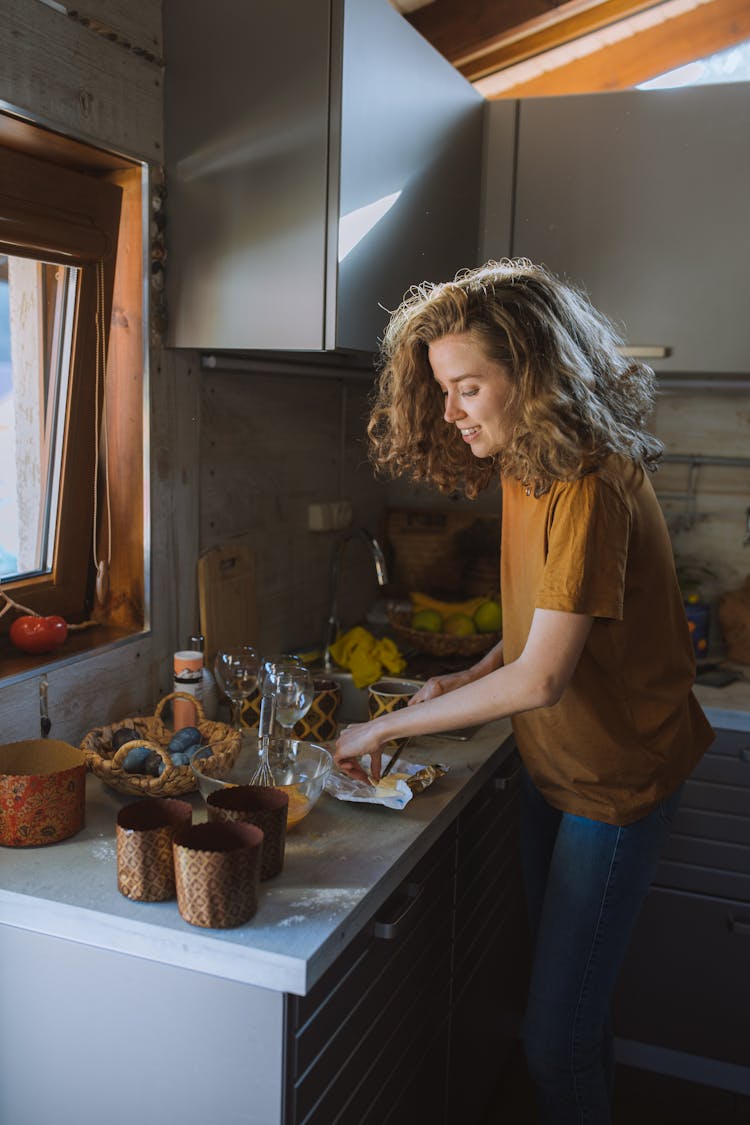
[69,203]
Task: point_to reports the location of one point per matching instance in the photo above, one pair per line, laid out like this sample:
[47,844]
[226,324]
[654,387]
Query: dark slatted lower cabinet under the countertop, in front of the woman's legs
[413,1021]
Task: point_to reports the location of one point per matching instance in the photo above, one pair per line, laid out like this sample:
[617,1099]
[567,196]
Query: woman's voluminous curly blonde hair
[574,401]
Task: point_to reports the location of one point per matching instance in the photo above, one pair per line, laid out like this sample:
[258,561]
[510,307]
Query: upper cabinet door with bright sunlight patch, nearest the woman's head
[410,173]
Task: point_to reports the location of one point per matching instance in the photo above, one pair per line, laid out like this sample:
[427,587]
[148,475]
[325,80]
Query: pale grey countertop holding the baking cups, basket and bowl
[342,862]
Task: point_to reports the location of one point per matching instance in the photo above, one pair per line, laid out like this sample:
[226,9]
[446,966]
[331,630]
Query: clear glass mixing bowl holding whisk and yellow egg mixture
[299,768]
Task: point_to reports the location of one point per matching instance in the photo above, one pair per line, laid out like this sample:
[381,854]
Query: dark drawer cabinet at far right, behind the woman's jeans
[685,984]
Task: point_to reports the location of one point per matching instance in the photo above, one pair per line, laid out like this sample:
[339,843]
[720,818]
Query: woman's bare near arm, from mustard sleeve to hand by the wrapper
[538,679]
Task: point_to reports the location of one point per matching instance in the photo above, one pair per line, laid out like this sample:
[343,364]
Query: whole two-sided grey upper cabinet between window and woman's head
[321,159]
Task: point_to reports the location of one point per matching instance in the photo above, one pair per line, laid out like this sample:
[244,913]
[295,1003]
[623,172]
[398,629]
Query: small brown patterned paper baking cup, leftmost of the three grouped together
[146,833]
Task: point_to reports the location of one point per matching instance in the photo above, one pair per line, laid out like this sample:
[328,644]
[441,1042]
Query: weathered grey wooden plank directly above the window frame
[75,80]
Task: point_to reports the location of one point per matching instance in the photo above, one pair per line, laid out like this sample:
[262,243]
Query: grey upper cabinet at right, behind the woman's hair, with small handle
[644,197]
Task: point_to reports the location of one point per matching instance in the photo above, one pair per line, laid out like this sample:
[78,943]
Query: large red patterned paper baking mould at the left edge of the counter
[42,793]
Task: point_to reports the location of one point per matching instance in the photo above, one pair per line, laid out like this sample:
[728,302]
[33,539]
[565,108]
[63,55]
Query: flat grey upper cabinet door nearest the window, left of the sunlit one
[247,137]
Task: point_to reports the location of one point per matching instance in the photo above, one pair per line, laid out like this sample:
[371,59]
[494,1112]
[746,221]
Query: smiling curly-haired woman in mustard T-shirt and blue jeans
[507,373]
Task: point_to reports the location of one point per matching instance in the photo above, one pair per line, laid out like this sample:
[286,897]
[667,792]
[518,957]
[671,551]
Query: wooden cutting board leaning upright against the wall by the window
[228,604]
